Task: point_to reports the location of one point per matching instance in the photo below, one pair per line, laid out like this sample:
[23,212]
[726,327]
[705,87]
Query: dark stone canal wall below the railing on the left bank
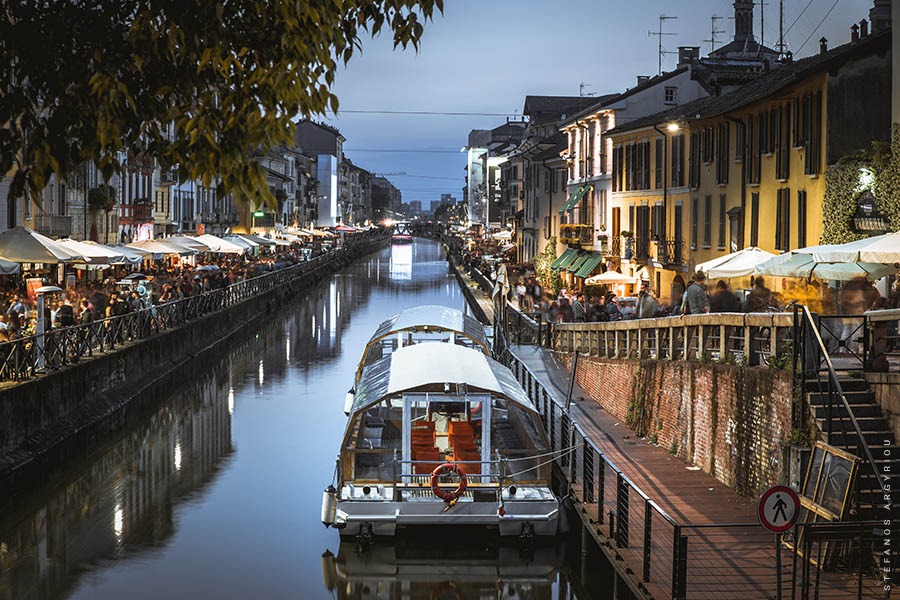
[79,406]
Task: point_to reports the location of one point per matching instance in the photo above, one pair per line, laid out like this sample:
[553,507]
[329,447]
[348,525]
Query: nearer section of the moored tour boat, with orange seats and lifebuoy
[441,434]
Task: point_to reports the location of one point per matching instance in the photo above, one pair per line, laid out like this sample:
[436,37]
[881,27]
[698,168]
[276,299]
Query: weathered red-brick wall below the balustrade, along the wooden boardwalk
[730,421]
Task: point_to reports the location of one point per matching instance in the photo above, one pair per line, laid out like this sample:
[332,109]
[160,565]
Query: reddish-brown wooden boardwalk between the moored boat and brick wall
[729,556]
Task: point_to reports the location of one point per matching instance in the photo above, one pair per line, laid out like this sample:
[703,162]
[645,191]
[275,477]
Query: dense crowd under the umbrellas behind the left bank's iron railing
[119,293]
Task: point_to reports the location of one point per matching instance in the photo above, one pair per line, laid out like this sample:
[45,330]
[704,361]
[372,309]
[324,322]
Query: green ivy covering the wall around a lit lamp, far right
[841,183]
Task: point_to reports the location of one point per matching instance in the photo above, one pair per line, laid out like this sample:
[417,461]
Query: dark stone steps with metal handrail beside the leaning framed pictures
[875,429]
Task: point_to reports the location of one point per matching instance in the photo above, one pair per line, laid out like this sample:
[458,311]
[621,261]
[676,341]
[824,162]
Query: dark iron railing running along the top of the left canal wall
[27,357]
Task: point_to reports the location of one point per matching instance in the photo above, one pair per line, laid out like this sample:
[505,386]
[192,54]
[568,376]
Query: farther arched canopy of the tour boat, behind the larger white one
[429,319]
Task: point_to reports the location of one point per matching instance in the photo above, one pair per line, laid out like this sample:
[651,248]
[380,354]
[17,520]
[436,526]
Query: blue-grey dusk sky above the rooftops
[486,56]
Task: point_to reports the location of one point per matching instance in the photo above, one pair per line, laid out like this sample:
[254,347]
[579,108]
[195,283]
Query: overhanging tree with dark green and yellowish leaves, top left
[196,85]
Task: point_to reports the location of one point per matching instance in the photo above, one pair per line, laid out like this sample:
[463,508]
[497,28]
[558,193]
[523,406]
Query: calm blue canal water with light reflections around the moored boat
[217,493]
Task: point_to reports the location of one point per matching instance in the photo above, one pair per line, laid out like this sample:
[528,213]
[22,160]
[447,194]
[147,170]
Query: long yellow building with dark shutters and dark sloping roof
[747,168]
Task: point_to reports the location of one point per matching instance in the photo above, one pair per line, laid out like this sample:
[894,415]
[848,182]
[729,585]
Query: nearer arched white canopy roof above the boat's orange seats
[427,367]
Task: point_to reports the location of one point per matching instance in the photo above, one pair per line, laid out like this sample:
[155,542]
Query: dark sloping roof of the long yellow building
[765,85]
